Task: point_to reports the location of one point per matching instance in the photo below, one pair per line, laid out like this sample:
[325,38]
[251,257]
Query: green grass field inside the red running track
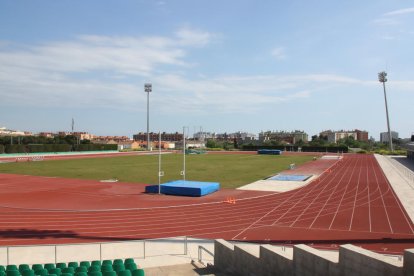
[230,170]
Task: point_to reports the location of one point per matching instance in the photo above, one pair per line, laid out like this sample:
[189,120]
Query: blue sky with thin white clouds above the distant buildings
[222,65]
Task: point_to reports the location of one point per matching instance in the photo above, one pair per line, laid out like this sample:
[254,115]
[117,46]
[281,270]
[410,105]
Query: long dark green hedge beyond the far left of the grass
[33,148]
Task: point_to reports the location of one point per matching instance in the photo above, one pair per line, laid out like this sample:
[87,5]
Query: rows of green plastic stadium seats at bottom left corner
[117,267]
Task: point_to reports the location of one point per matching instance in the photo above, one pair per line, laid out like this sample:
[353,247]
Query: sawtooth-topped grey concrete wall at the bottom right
[305,260]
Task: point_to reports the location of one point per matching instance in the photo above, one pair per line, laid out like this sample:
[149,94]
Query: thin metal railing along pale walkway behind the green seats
[54,253]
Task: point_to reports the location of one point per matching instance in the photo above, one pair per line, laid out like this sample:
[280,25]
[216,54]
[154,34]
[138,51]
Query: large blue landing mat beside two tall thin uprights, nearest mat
[185,188]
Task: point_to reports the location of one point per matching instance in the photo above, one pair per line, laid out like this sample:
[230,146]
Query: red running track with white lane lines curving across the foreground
[352,202]
